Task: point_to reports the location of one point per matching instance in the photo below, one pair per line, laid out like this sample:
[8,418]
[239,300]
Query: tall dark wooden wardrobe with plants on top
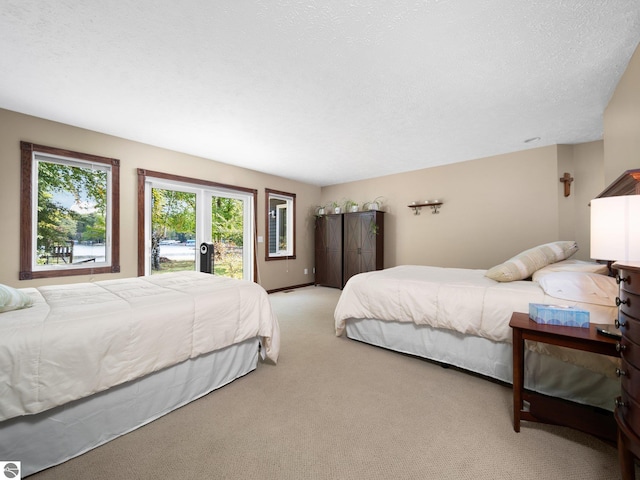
[348,244]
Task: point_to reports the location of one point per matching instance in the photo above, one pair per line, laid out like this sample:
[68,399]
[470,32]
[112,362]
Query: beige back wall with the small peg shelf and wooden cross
[493,207]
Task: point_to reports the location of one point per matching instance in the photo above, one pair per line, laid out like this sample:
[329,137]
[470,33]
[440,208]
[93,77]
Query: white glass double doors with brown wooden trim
[177,214]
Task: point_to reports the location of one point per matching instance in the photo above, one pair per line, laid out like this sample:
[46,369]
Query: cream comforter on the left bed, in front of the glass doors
[79,339]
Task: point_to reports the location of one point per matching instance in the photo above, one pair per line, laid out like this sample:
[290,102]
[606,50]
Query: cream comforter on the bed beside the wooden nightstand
[453,298]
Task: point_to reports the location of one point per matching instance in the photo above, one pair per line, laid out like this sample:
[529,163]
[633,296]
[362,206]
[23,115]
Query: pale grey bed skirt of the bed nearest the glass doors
[54,436]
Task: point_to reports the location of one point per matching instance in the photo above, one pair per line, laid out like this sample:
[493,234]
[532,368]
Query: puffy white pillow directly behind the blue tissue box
[581,287]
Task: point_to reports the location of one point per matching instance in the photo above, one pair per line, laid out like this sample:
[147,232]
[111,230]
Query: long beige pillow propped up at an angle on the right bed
[524,264]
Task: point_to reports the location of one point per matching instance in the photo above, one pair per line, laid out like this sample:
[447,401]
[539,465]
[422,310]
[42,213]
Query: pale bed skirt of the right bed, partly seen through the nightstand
[543,373]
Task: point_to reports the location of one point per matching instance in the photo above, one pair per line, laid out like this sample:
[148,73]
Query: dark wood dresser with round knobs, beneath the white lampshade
[627,411]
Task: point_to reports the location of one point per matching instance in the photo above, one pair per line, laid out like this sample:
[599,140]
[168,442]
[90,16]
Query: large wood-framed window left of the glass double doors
[69,213]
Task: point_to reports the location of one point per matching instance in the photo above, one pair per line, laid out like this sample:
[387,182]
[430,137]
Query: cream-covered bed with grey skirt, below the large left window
[80,342]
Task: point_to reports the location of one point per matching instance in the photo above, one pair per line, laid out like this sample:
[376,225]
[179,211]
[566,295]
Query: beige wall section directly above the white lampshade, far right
[622,124]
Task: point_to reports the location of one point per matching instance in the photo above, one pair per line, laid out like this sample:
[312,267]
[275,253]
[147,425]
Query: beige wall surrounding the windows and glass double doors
[15,127]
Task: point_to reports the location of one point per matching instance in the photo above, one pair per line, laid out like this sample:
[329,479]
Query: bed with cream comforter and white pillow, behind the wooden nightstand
[461,317]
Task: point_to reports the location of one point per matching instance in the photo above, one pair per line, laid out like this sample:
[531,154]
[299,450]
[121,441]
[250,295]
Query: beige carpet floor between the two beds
[334,408]
